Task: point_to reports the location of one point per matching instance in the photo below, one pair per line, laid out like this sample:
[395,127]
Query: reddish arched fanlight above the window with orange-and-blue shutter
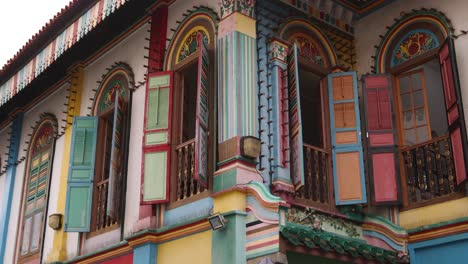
[312,43]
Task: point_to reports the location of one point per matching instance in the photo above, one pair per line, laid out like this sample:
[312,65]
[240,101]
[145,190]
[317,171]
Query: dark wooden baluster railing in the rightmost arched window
[429,169]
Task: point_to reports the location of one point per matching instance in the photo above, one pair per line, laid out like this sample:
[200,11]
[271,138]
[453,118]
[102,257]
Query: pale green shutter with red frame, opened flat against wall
[157,139]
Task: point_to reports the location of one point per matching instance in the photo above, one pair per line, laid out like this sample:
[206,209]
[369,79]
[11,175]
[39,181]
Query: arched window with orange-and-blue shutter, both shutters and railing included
[324,127]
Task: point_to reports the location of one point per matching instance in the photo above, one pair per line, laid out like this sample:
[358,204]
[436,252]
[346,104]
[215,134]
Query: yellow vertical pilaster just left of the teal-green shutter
[59,252]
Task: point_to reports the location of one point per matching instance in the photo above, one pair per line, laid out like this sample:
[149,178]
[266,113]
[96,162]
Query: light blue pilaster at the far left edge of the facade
[7,194]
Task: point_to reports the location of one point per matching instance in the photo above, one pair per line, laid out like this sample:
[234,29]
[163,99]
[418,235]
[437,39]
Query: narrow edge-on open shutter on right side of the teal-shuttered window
[115,174]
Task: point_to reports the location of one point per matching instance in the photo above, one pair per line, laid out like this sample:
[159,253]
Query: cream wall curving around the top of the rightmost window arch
[369,28]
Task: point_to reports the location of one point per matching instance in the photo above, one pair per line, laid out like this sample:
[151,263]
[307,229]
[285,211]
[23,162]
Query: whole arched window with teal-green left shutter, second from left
[98,165]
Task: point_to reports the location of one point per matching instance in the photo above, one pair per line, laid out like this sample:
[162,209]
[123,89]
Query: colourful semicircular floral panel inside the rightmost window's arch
[413,44]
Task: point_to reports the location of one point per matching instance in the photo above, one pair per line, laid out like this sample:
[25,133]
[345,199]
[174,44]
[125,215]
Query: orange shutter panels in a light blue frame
[348,163]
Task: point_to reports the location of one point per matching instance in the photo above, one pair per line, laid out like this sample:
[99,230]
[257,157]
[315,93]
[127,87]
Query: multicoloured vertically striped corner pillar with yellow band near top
[237,74]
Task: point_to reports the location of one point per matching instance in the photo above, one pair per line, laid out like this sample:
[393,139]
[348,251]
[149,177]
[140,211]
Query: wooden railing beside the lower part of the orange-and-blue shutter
[315,175]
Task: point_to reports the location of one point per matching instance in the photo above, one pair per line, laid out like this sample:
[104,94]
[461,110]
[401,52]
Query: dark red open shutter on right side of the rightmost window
[454,107]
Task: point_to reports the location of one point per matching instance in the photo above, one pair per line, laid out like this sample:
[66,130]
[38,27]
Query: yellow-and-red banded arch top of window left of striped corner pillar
[184,41]
